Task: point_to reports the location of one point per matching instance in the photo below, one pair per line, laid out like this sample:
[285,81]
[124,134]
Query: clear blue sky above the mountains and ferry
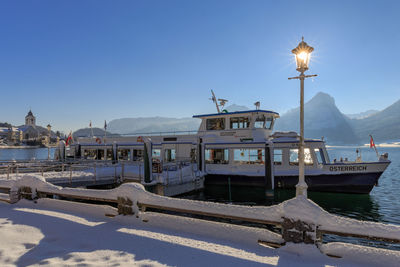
[76,61]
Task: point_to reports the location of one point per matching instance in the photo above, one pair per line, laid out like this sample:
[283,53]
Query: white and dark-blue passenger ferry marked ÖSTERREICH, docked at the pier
[239,148]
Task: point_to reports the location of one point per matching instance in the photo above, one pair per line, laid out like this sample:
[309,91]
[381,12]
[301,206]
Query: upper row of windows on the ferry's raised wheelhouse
[239,123]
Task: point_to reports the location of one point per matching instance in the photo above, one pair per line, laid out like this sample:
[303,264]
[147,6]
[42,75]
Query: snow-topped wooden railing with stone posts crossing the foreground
[301,220]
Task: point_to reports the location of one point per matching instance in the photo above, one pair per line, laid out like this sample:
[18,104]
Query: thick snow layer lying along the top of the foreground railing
[299,208]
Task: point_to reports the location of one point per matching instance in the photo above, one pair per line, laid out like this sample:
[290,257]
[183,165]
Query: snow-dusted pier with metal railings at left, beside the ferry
[171,180]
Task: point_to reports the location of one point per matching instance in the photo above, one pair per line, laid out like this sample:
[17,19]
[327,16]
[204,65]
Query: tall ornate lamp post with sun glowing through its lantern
[302,55]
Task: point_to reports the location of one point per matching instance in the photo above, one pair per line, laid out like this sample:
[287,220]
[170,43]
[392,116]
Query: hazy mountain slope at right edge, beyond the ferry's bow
[384,125]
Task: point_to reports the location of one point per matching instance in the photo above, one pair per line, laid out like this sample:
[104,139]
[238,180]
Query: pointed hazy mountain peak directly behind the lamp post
[321,118]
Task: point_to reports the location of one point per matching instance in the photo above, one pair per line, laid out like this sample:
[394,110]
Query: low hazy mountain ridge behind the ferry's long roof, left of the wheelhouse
[152,124]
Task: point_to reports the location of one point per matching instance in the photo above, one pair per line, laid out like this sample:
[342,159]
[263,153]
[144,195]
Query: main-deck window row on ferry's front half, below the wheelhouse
[257,156]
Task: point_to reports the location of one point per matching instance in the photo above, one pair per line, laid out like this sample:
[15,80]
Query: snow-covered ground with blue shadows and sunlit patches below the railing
[55,232]
